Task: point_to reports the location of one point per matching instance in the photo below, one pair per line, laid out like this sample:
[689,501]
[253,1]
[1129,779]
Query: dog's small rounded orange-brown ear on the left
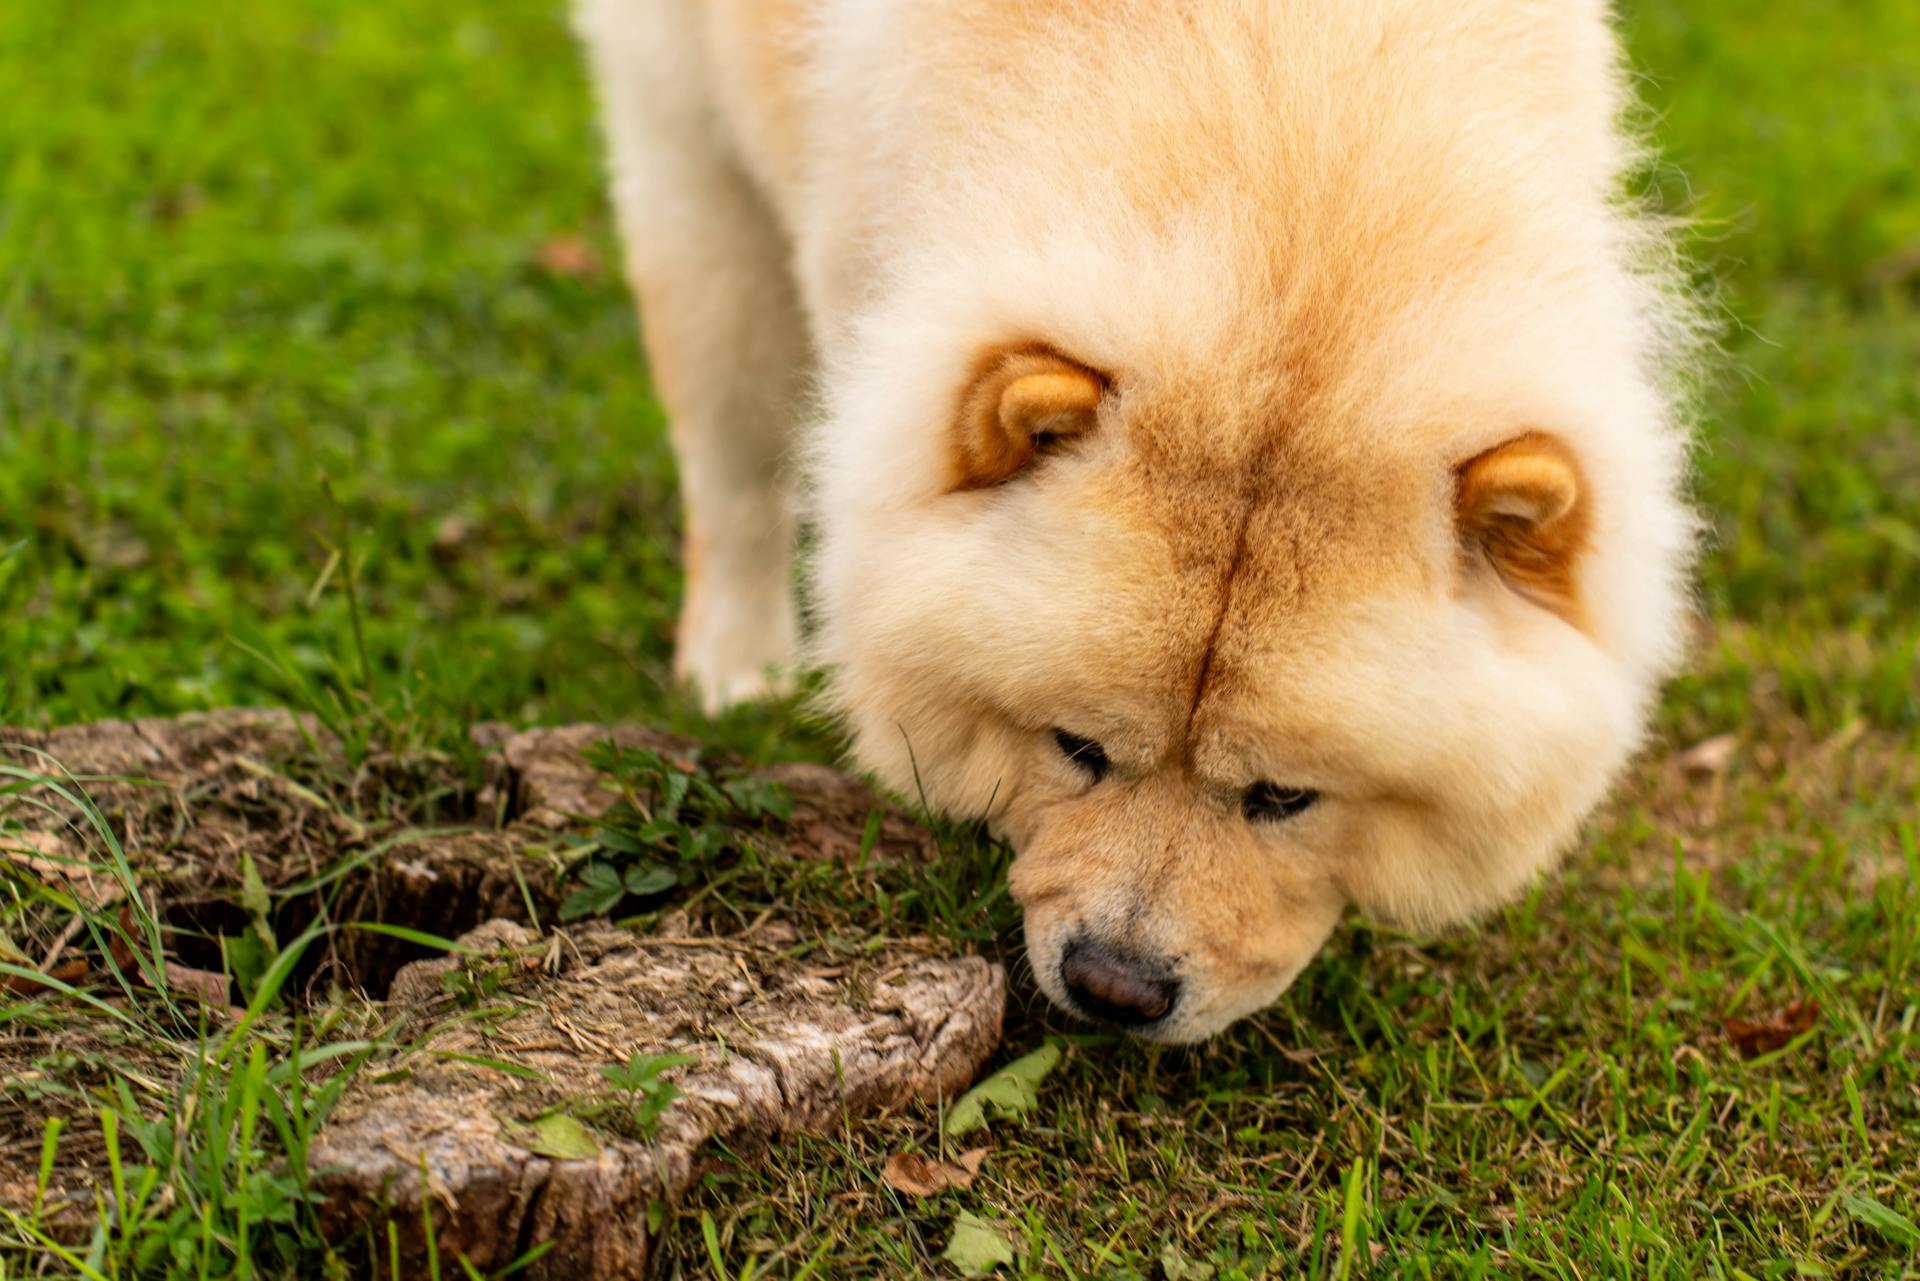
[1017,406]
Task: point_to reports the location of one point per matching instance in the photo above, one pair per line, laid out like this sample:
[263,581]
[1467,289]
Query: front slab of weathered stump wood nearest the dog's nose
[777,1048]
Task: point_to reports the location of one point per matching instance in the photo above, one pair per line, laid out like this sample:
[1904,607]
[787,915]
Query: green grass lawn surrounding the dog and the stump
[270,291]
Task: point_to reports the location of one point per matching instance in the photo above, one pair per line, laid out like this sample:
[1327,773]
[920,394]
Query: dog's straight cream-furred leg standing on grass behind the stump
[729,352]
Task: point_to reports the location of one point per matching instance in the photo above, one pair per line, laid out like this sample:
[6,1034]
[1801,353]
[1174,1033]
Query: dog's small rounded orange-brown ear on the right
[1527,510]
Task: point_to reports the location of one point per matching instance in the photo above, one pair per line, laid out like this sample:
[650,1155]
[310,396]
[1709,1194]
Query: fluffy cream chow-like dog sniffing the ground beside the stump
[1247,468]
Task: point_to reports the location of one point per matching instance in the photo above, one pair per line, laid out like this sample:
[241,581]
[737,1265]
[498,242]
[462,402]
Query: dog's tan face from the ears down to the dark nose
[1216,692]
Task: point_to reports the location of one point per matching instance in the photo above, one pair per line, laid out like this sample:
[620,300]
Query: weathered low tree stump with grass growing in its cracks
[239,817]
